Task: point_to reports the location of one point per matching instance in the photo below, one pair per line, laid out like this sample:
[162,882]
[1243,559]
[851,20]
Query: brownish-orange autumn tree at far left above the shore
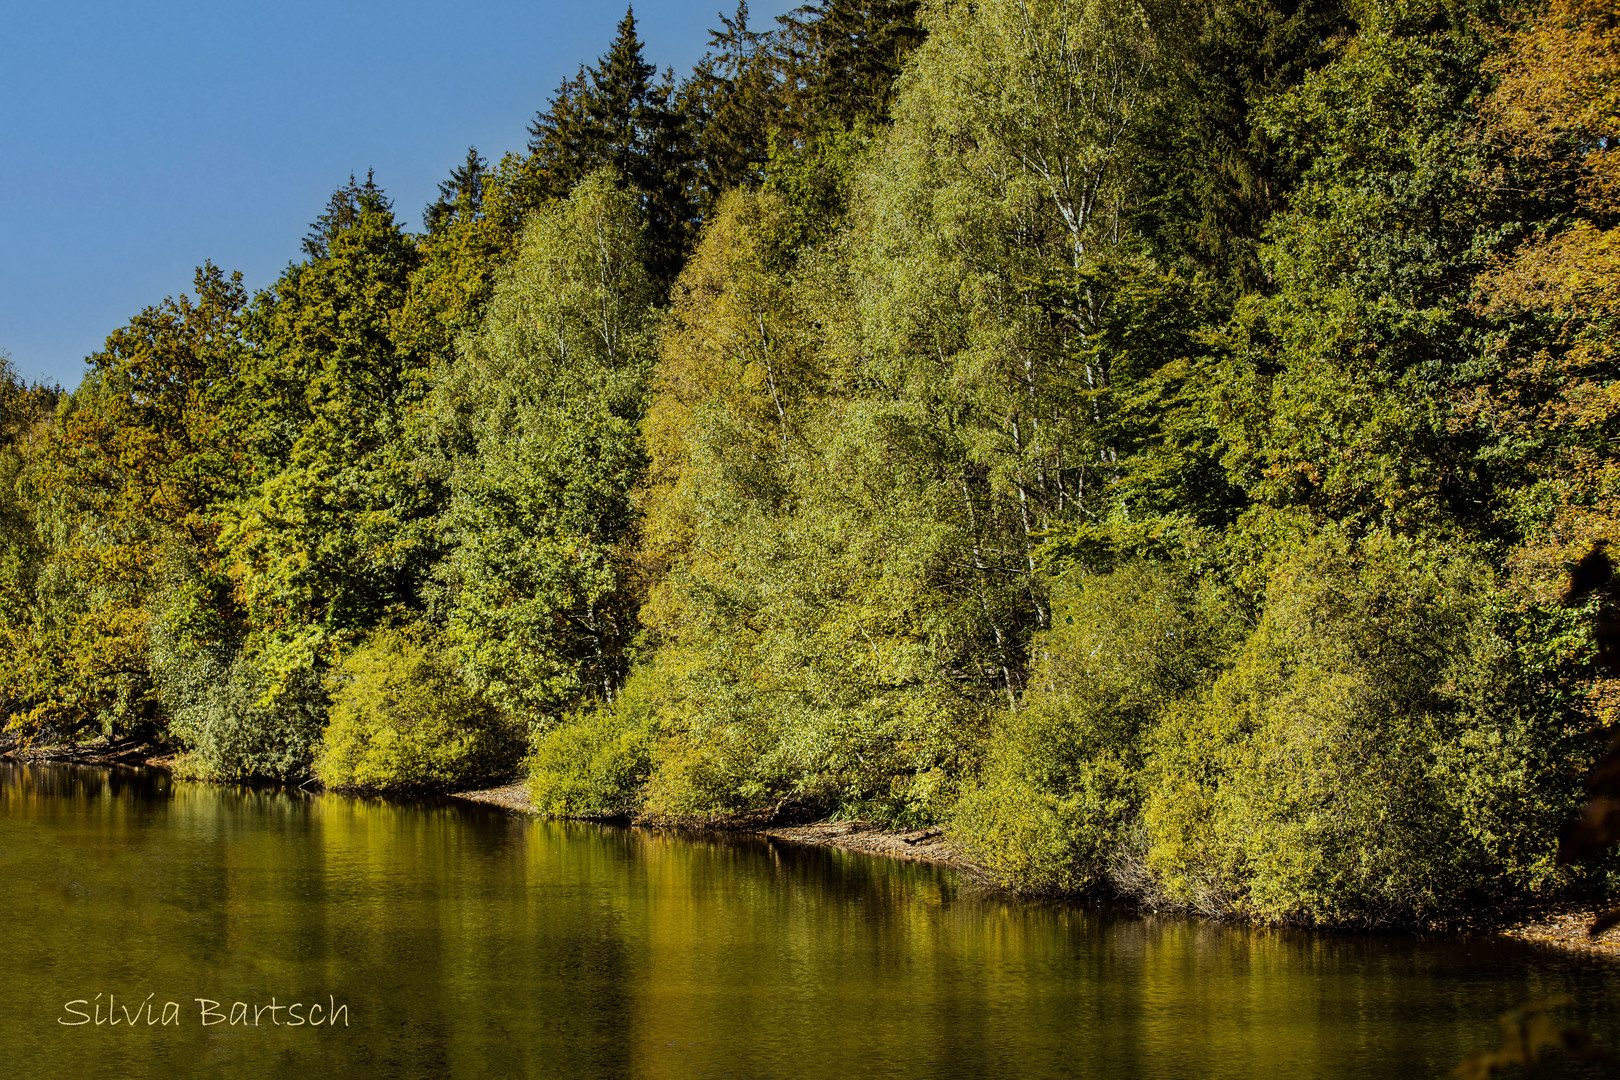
[124,491]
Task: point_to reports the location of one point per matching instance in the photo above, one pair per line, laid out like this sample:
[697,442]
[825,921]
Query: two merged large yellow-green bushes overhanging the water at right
[1371,744]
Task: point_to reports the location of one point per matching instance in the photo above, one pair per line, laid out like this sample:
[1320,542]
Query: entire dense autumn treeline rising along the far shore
[1146,436]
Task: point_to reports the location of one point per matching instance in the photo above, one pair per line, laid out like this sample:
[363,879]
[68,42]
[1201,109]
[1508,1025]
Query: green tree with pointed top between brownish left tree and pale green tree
[335,534]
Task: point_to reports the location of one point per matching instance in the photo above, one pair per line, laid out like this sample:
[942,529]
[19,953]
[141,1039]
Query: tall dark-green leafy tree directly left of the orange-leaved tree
[1339,394]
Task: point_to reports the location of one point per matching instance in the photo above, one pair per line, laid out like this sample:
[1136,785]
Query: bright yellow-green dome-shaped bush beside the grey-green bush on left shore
[403,720]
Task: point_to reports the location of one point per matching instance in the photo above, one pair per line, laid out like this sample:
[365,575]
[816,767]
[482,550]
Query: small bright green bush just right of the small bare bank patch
[595,762]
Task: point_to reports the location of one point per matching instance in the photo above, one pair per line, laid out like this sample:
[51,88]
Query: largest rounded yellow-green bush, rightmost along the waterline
[1358,762]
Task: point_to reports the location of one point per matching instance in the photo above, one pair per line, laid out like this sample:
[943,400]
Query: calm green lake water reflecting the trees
[471,943]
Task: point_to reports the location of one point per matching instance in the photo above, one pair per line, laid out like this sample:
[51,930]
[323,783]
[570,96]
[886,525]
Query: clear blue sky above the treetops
[142,138]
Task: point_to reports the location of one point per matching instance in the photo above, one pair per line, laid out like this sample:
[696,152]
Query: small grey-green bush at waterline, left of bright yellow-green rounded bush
[247,728]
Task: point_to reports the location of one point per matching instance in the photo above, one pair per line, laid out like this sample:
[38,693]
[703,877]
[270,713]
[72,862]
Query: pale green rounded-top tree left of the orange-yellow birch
[552,393]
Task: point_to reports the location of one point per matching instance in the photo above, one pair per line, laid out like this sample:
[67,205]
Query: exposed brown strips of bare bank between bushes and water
[1554,925]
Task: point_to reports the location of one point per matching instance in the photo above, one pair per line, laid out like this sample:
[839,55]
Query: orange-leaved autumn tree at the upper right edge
[1550,398]
